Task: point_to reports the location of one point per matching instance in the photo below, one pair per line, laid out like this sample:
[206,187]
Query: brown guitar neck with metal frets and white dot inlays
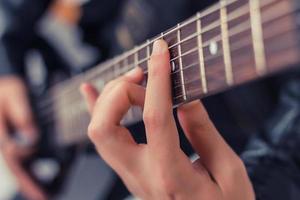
[230,43]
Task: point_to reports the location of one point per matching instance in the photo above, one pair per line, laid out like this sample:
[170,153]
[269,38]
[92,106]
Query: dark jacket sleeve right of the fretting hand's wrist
[272,157]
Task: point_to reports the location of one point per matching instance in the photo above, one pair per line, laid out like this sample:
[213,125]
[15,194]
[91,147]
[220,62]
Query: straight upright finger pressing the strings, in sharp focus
[158,112]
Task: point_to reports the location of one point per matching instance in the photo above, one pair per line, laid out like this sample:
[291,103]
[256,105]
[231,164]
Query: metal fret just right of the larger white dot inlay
[225,42]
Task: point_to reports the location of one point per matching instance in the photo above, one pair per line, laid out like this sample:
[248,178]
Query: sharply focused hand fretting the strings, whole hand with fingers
[160,169]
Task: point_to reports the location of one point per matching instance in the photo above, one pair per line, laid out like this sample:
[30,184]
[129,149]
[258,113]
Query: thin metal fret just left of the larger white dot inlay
[201,56]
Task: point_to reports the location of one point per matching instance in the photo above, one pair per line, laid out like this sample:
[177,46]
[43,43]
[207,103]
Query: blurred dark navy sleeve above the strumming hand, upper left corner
[20,20]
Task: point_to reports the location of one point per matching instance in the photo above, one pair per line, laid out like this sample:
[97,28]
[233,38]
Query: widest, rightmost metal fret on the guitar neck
[257,36]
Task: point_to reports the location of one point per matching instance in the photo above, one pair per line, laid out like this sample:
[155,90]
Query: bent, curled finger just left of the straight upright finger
[113,141]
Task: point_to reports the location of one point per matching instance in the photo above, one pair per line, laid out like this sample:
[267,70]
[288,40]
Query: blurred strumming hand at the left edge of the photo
[16,111]
